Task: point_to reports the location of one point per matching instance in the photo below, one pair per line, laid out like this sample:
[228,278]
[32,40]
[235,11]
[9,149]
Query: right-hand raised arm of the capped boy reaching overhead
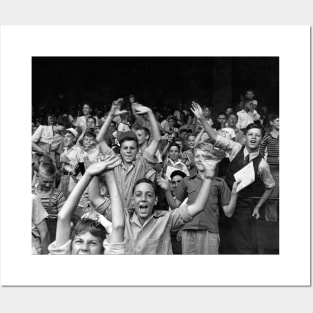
[155,133]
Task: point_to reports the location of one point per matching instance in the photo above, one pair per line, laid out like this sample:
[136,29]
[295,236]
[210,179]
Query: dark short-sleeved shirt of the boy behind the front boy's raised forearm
[219,196]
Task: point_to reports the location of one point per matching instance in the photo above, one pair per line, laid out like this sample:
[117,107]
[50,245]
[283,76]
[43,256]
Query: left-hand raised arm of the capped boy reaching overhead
[115,110]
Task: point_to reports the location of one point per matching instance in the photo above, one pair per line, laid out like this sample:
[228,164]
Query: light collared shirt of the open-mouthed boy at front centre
[153,237]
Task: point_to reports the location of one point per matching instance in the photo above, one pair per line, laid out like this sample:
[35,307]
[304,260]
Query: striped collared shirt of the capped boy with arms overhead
[126,177]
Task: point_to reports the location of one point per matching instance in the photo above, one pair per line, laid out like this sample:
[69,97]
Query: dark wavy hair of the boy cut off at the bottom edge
[88,225]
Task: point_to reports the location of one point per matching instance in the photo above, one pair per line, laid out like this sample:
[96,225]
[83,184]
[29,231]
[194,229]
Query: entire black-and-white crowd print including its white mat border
[156,152]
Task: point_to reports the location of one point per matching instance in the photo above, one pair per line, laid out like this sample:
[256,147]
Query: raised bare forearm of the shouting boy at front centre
[203,195]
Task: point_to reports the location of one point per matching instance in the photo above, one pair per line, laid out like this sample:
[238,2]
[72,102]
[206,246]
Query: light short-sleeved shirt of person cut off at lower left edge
[39,214]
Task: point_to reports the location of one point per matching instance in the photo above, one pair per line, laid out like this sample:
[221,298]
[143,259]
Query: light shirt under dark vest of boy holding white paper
[233,148]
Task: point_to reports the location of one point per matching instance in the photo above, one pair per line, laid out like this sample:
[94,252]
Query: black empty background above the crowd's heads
[63,84]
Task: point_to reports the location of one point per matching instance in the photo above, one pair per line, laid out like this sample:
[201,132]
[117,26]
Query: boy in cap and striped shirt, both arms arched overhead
[131,168]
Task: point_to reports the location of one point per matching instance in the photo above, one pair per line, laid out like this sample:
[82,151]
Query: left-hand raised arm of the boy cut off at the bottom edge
[65,215]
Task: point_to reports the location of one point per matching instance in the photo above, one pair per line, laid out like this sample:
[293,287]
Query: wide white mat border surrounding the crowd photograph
[20,43]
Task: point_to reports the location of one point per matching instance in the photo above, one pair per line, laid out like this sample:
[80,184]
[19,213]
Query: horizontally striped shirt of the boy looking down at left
[52,200]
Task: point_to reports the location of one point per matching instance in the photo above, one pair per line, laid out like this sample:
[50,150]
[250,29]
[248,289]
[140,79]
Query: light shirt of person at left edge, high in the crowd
[46,138]
